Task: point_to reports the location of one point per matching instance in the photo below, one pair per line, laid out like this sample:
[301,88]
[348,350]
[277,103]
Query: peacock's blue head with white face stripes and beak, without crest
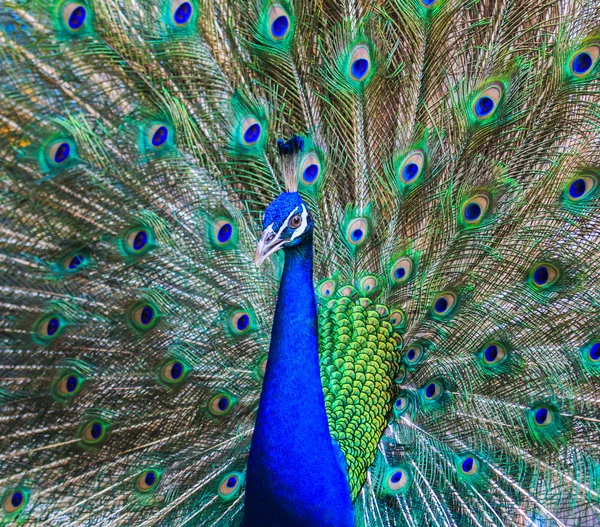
[287,223]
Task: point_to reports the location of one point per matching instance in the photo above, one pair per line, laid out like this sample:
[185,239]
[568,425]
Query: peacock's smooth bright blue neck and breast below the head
[294,473]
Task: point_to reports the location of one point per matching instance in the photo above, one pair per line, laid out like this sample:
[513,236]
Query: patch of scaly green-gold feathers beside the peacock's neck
[360,353]
